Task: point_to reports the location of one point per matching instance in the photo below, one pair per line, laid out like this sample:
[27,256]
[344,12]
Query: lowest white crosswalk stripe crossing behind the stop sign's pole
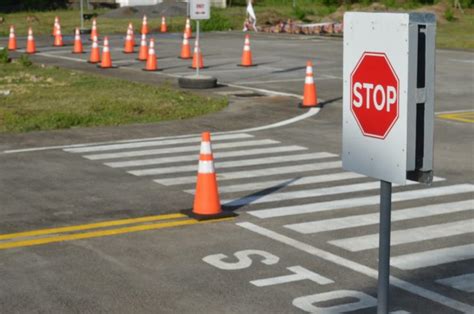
[398,237]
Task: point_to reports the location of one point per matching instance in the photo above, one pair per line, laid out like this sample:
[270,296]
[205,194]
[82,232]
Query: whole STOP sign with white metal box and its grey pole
[388,114]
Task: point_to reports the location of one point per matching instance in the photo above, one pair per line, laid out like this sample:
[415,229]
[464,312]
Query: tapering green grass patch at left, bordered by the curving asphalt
[47,98]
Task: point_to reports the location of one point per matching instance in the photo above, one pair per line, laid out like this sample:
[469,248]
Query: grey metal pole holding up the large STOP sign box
[384,247]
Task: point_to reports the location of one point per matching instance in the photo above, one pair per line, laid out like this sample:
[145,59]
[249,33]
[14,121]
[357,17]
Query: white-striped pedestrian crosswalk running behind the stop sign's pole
[299,189]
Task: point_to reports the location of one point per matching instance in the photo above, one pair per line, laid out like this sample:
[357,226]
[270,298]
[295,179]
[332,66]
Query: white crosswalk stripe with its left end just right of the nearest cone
[281,196]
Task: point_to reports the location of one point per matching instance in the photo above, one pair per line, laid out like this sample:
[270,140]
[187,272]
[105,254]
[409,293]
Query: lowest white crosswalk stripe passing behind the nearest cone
[255,186]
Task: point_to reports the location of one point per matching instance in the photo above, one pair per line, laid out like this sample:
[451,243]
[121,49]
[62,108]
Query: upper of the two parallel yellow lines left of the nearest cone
[90,226]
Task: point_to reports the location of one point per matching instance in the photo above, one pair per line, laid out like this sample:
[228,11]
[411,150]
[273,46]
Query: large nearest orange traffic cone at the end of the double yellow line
[206,199]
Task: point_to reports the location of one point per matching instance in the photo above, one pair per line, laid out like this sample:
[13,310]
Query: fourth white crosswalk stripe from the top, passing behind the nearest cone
[234,163]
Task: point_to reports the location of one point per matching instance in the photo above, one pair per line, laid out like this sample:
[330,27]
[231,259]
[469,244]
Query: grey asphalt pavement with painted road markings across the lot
[90,218]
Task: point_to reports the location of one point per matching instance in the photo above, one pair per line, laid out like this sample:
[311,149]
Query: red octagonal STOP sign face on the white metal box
[374,94]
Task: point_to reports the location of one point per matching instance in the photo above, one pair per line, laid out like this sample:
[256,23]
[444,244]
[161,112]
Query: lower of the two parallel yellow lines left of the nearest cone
[104,233]
